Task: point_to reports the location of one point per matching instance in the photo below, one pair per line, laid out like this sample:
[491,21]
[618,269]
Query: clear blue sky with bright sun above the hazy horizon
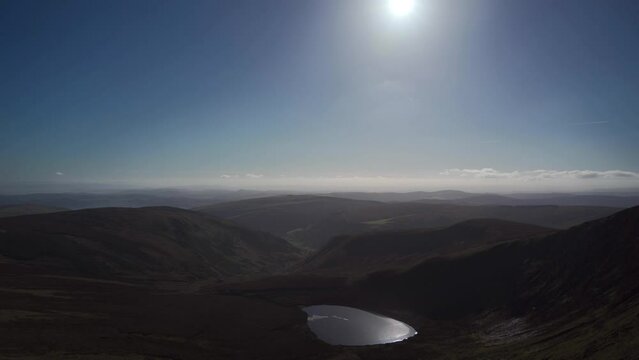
[535,93]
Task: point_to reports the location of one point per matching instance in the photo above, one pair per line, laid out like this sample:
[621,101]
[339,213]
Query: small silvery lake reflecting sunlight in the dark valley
[342,325]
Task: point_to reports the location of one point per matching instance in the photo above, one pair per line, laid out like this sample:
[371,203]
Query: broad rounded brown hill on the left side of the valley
[163,242]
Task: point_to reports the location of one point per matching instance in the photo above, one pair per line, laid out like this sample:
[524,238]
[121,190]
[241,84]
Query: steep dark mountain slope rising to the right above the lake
[584,267]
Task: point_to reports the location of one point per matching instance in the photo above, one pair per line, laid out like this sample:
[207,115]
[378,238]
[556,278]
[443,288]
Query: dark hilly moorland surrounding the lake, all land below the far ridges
[476,282]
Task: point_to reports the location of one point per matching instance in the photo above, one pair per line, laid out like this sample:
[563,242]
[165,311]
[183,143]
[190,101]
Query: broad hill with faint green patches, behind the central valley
[311,221]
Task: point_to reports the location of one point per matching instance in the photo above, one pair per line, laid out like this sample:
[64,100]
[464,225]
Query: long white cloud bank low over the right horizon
[490,173]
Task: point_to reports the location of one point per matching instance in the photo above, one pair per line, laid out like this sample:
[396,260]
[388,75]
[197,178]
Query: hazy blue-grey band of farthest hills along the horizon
[187,199]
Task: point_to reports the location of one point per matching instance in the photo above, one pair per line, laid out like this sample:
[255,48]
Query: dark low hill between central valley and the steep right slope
[359,254]
